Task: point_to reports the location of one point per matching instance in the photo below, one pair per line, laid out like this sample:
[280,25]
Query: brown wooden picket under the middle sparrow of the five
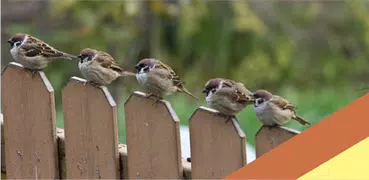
[153,139]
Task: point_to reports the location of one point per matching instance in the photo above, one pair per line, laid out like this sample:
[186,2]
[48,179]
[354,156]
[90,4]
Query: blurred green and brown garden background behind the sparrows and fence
[313,53]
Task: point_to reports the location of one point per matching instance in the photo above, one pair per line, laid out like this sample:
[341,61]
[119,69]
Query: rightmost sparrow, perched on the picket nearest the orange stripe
[273,110]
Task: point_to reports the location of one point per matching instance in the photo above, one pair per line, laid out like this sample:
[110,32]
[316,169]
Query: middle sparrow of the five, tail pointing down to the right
[158,79]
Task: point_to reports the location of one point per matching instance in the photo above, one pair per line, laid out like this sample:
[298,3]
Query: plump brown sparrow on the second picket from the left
[99,68]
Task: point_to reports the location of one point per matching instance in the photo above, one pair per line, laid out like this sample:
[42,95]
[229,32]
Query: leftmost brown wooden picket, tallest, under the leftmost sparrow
[29,127]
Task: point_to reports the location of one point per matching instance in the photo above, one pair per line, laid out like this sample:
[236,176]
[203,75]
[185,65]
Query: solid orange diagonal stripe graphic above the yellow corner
[313,147]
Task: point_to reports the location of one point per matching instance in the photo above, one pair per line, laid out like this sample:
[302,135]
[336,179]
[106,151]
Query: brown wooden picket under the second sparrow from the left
[91,132]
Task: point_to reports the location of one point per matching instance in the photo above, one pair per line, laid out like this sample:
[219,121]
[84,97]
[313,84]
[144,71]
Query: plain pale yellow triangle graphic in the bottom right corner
[352,164]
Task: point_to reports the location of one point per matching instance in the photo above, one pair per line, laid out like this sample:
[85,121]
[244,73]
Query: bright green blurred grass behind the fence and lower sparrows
[313,106]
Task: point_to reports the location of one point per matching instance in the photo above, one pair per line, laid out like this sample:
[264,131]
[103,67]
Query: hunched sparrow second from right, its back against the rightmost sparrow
[227,96]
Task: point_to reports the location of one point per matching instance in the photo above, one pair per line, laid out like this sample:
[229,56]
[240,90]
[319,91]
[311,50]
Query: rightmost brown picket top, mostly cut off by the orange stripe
[268,138]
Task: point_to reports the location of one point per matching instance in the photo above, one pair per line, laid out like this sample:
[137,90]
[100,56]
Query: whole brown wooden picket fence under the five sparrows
[31,147]
